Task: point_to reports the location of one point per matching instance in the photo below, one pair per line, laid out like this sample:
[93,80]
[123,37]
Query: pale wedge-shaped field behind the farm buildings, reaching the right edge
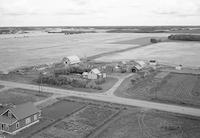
[175,53]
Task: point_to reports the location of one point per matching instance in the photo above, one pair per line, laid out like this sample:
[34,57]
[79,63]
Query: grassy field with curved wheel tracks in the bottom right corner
[151,124]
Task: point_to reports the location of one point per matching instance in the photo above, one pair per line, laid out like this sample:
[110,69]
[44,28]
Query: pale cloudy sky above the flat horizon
[99,12]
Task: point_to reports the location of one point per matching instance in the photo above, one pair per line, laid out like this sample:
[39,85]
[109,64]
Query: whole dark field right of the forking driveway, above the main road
[175,88]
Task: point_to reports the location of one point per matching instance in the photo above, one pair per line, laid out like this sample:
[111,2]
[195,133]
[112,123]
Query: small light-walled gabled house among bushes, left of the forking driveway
[96,74]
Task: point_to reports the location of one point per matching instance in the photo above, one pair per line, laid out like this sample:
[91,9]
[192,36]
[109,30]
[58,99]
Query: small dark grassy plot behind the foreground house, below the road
[19,96]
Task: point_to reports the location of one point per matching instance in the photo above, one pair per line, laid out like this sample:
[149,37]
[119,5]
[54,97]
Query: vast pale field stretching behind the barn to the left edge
[28,51]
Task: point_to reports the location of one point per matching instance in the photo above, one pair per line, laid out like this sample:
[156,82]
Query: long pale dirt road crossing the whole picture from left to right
[109,97]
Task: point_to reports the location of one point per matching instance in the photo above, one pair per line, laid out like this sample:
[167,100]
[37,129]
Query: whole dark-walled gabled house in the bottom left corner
[18,117]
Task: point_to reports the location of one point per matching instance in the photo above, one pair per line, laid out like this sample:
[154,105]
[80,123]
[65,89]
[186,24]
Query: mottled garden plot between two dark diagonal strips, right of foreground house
[80,124]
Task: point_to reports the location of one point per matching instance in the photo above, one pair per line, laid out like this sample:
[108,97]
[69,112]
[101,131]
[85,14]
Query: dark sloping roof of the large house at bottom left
[24,110]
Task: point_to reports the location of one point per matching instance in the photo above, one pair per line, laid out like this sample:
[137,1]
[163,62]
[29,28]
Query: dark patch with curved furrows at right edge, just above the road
[180,89]
